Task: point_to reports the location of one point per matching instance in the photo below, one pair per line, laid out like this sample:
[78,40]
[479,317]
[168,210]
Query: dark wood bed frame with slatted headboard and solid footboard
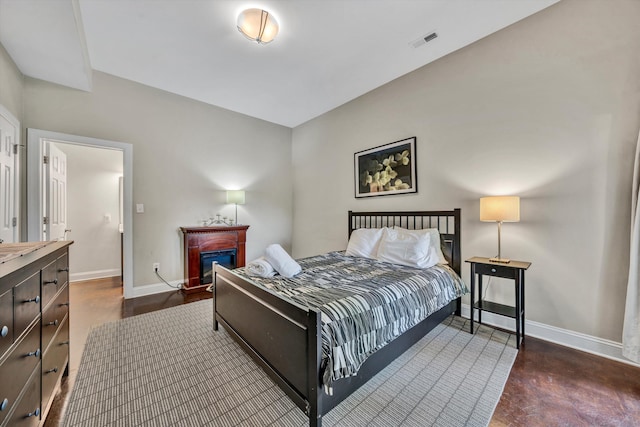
[284,338]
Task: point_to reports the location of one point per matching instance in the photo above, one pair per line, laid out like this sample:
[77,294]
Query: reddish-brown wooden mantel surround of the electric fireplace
[204,239]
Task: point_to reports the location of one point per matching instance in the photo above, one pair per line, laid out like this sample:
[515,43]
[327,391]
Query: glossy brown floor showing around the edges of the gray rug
[549,385]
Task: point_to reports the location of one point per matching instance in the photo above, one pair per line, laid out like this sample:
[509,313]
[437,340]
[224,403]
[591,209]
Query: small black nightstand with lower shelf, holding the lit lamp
[513,270]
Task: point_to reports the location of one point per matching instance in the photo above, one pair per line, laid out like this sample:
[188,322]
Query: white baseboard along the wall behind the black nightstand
[576,340]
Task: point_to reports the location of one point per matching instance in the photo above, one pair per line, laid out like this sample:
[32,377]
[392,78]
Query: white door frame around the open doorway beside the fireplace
[35,210]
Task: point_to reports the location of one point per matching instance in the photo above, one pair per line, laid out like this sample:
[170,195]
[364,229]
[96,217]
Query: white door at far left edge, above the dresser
[8,168]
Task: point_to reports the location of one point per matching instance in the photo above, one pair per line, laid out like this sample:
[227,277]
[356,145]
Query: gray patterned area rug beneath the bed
[169,368]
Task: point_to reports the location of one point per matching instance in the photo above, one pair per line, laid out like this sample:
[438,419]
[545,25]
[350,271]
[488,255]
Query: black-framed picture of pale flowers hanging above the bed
[387,169]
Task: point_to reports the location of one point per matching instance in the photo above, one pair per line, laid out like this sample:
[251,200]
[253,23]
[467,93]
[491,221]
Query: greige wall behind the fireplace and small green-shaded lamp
[185,154]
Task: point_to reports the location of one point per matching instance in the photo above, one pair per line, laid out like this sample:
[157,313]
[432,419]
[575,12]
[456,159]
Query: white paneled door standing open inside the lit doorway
[56,197]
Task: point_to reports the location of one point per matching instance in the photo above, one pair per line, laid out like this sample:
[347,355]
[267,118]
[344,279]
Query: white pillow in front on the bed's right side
[410,249]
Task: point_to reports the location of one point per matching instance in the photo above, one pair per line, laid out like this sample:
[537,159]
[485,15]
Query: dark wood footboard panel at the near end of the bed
[282,336]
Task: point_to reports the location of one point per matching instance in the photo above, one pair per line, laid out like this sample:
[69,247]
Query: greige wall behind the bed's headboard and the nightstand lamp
[547,109]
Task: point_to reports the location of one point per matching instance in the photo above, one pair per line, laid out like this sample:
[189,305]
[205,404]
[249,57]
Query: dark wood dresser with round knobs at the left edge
[34,329]
